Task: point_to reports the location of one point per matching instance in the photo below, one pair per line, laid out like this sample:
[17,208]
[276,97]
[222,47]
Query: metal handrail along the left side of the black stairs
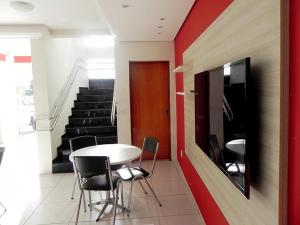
[64,93]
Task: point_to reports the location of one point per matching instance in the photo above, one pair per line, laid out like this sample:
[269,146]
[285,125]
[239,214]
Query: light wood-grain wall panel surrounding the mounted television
[245,29]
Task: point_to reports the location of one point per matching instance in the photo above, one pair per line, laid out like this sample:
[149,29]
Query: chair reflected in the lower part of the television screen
[230,168]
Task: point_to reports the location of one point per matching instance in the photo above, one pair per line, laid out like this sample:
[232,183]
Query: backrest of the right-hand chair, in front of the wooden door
[150,145]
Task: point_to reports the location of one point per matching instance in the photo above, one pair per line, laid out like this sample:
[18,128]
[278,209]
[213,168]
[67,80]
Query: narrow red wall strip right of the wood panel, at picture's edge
[294,151]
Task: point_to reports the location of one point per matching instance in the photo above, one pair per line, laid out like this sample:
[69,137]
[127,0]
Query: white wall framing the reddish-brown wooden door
[141,51]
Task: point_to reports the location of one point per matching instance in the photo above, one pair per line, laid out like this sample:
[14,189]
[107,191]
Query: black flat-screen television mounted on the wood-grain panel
[221,117]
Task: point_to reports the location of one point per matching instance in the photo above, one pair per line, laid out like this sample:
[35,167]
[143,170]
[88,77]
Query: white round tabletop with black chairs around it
[117,153]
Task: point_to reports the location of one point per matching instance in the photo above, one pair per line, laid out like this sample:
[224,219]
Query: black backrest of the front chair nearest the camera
[89,166]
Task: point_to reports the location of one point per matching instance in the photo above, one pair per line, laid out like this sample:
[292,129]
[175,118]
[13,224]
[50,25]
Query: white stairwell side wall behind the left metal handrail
[62,54]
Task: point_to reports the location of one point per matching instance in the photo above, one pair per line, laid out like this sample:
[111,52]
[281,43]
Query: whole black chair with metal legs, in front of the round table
[94,174]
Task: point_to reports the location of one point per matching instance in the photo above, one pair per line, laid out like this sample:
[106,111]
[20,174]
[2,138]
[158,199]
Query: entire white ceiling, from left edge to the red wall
[138,22]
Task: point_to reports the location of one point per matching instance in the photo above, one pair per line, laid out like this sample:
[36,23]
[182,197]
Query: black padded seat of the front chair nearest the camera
[100,183]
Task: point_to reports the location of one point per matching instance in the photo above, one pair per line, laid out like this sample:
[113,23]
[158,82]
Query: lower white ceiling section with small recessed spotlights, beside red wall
[140,21]
